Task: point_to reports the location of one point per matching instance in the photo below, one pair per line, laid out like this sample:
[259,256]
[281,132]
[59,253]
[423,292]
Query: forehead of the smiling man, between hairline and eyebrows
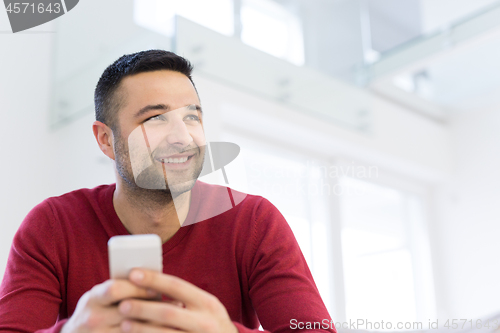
[158,87]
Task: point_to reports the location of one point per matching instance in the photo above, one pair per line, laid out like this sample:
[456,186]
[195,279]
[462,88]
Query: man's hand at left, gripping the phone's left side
[97,309]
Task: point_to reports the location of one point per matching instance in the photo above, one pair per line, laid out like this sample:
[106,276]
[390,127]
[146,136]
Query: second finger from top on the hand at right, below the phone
[158,313]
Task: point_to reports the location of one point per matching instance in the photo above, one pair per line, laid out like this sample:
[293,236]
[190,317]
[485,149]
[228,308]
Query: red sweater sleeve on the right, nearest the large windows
[282,288]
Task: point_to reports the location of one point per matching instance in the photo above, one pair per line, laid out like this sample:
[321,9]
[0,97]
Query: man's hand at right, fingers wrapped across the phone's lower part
[202,313]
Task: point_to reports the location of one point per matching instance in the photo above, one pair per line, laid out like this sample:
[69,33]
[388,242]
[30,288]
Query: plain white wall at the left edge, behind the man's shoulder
[37,163]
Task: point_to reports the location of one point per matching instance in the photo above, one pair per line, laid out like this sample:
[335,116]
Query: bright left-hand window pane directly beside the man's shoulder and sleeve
[292,182]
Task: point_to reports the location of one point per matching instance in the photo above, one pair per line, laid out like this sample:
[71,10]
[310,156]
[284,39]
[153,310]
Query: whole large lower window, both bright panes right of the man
[385,261]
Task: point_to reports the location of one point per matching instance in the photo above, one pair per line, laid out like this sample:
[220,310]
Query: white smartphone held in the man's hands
[133,251]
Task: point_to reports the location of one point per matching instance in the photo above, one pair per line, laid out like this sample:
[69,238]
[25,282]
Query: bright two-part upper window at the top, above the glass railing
[265,25]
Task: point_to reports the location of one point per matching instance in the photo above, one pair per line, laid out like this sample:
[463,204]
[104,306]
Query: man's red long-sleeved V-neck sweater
[247,257]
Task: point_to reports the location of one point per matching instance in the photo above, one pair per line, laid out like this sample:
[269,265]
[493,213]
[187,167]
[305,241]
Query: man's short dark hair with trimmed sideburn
[106,101]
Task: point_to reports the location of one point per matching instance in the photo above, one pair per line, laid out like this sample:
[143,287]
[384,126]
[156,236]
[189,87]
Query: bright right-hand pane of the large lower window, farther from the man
[383,246]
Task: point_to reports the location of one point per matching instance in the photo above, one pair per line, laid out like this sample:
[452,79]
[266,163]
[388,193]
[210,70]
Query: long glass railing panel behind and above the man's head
[80,59]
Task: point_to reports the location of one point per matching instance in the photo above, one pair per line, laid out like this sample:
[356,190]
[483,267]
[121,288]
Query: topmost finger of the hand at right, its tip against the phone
[172,286]
